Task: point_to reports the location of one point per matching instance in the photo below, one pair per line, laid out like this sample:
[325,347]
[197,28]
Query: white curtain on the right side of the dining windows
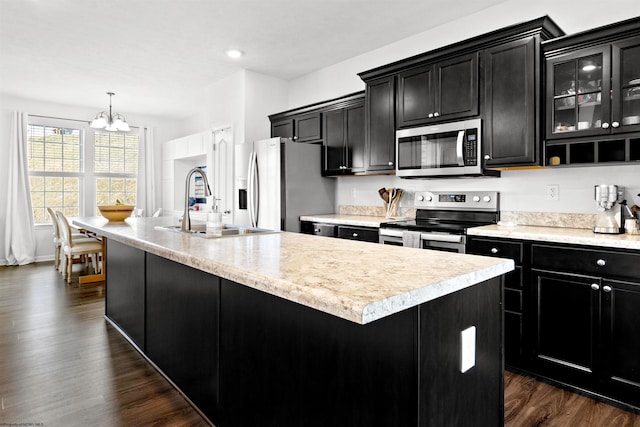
[146,191]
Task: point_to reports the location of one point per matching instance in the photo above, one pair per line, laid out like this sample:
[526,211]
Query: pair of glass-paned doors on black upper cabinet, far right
[594,91]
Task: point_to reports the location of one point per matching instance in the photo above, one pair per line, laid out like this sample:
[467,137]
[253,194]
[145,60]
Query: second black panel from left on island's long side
[182,329]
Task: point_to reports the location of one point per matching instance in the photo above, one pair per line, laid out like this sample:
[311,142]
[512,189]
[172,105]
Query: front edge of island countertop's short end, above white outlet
[398,303]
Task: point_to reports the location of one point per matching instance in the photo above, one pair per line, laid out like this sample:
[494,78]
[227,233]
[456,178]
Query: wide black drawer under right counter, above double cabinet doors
[586,261]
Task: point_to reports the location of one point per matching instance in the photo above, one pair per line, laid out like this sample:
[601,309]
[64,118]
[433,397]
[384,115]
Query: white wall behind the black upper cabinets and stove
[520,190]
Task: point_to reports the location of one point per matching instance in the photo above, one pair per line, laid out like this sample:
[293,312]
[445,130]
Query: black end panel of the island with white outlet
[475,397]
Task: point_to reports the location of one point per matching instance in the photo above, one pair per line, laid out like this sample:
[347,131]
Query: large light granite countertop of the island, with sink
[353,280]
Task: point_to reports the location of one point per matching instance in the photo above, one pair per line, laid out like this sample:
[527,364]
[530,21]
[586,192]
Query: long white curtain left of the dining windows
[20,234]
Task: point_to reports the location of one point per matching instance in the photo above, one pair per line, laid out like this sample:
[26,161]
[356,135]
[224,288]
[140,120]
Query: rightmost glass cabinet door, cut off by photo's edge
[626,85]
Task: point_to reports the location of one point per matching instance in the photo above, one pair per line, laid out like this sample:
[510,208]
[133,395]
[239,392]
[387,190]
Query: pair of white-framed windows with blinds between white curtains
[73,168]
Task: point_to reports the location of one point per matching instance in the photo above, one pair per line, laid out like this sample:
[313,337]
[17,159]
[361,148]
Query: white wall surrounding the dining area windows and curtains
[163,129]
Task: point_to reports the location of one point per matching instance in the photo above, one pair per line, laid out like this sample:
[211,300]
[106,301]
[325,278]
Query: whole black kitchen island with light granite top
[285,329]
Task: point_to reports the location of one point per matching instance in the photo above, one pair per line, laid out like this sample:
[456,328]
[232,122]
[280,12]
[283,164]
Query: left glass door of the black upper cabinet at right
[580,98]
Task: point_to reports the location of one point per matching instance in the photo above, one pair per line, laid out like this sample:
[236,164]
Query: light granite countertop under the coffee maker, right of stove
[576,236]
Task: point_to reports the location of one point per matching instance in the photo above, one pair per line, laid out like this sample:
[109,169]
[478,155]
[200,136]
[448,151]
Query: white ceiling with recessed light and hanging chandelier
[158,55]
